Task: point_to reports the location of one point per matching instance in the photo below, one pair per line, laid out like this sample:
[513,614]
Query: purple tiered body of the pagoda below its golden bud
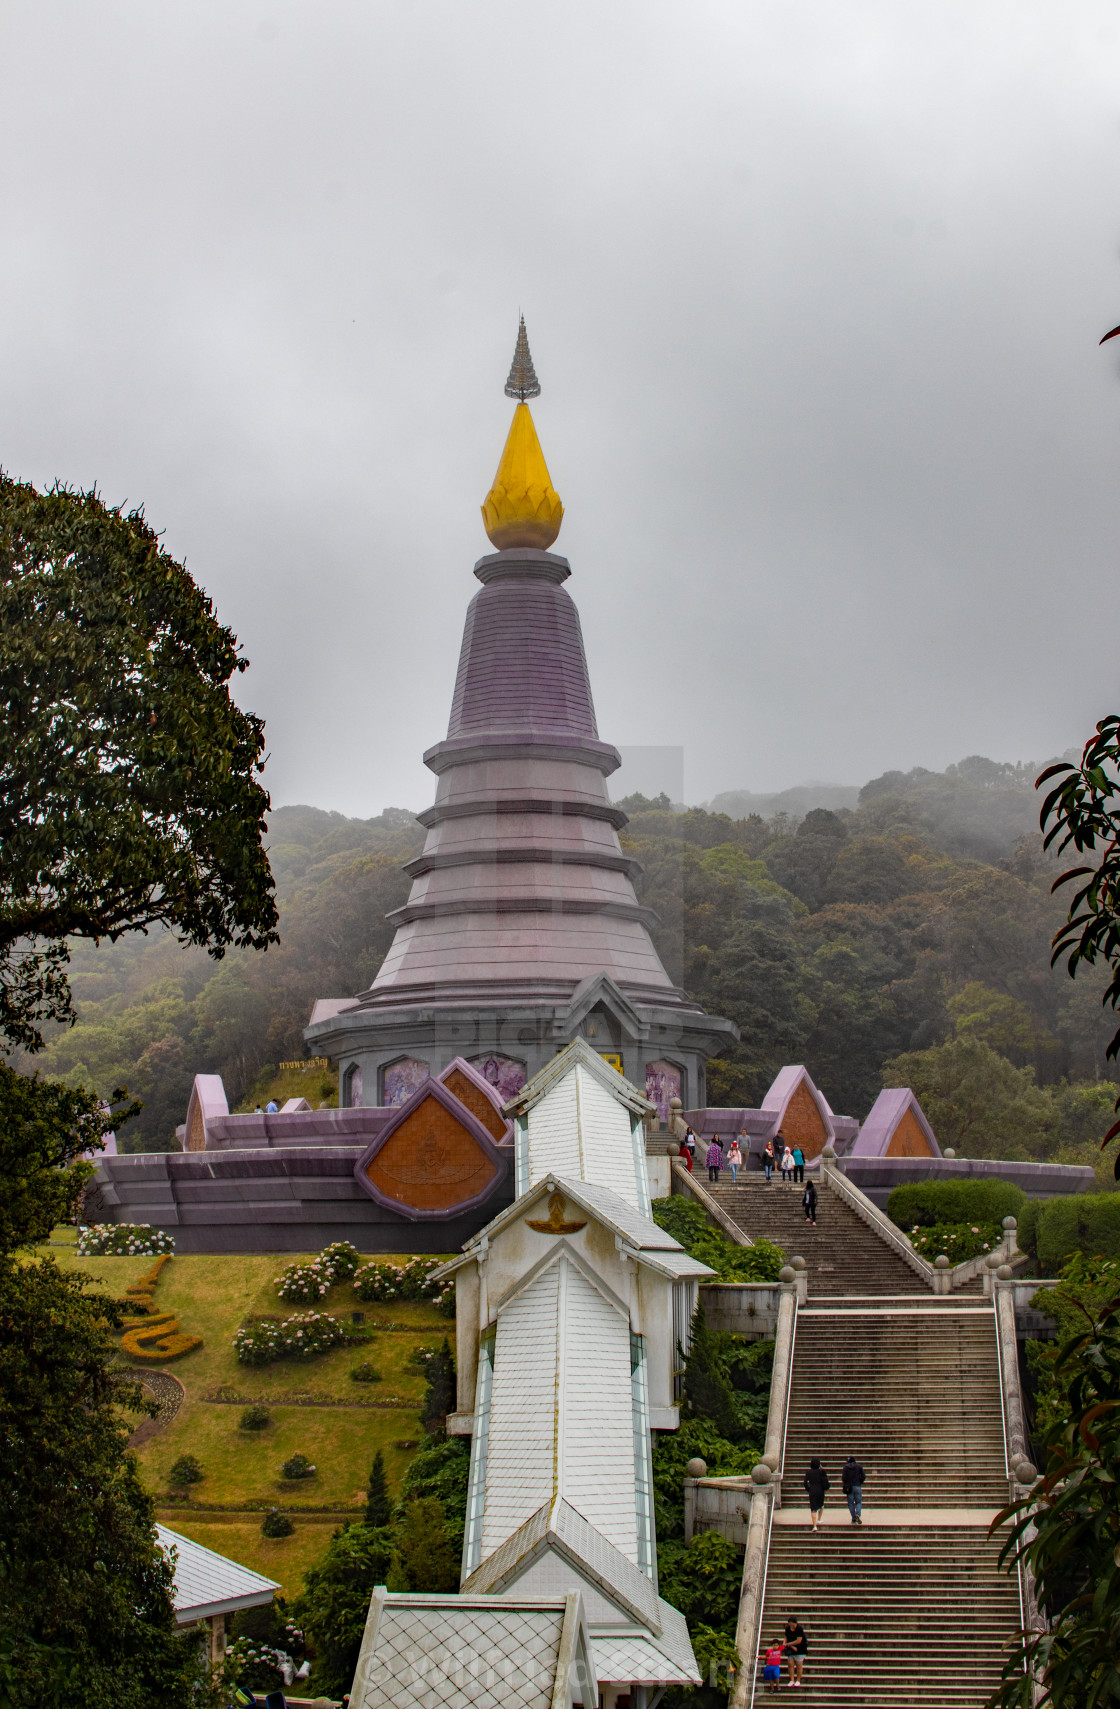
[522,891]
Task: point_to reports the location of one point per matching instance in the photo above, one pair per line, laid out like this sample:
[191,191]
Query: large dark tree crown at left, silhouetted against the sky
[129,780]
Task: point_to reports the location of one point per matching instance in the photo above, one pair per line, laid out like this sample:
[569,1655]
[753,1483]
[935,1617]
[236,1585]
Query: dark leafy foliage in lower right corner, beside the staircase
[1068,1530]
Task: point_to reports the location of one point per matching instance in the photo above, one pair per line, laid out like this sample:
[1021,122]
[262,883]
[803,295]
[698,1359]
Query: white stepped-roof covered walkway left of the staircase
[570,1310]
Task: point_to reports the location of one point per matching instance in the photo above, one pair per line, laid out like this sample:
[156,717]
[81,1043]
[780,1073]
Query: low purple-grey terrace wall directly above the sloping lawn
[278,1201]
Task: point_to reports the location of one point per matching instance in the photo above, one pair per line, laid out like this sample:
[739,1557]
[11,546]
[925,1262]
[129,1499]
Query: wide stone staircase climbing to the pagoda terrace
[911,1609]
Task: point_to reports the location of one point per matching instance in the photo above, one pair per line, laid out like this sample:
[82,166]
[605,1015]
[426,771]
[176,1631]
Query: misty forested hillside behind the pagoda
[904,939]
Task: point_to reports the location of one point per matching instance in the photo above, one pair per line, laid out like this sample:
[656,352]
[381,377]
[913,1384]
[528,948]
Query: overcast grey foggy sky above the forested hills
[815,295]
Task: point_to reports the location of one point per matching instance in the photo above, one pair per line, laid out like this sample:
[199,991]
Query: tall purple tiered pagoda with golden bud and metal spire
[522,931]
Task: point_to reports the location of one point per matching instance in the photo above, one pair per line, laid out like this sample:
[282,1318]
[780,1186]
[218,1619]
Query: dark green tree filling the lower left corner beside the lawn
[86,1609]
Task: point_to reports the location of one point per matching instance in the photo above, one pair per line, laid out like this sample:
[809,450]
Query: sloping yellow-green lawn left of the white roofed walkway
[211,1296]
